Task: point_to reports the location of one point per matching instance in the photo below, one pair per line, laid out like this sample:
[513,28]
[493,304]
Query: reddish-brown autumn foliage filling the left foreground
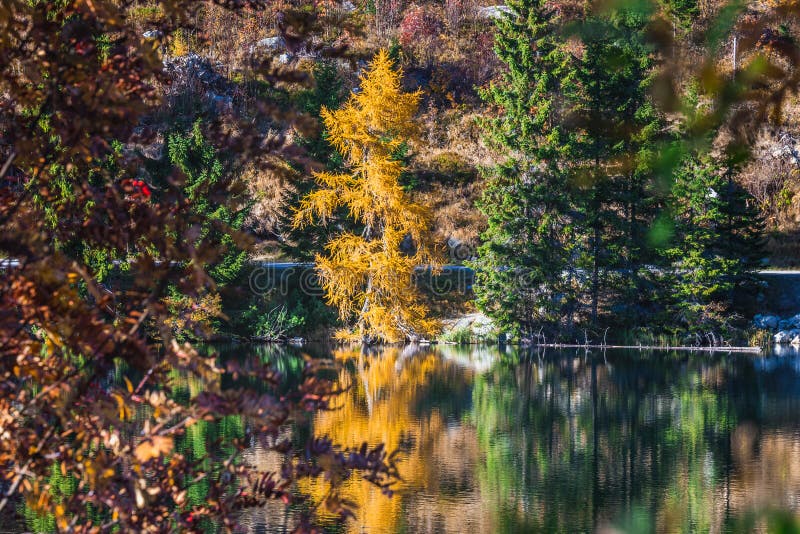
[90,372]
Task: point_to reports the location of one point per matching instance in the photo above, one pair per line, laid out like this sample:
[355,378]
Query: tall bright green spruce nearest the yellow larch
[522,273]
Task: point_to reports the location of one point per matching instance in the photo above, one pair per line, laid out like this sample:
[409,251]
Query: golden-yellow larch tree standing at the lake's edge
[367,276]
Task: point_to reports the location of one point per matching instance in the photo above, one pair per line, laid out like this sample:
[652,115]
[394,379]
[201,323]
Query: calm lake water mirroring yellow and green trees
[565,441]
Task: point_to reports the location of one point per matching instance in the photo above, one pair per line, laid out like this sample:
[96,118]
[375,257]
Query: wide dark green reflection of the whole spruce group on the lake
[559,436]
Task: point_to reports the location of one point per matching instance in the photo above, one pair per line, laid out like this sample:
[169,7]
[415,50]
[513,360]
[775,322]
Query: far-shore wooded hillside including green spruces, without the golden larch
[720,215]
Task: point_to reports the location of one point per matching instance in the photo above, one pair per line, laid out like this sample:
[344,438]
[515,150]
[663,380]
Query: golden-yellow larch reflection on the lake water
[395,397]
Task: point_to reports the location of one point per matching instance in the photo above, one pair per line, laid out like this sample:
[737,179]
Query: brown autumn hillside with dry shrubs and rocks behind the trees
[446,49]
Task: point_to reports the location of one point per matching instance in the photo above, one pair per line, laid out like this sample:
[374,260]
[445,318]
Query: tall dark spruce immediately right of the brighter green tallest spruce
[616,129]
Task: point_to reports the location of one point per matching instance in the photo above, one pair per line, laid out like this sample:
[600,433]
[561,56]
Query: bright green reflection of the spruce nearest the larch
[518,461]
